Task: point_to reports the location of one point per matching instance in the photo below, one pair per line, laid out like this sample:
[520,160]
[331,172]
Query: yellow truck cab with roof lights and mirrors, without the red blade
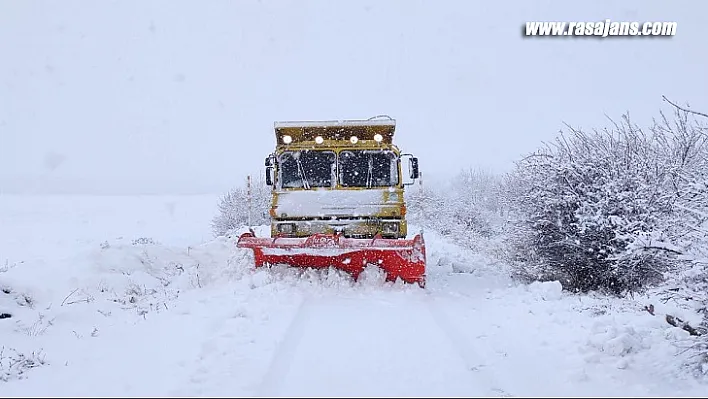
[343,177]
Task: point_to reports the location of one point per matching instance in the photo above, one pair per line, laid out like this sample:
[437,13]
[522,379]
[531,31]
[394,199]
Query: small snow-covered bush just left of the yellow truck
[234,211]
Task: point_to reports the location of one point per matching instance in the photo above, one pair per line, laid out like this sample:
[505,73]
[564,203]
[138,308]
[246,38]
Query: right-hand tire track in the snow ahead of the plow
[469,355]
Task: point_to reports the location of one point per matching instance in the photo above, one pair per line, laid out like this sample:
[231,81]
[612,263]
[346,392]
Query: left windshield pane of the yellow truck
[306,169]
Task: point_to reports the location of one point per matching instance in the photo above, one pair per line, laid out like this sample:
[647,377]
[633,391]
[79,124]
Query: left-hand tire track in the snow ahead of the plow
[285,351]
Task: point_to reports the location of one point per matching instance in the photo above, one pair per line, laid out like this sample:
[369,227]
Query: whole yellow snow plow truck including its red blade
[338,200]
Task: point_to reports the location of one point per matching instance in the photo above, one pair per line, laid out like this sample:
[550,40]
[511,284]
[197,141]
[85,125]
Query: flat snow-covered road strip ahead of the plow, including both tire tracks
[370,346]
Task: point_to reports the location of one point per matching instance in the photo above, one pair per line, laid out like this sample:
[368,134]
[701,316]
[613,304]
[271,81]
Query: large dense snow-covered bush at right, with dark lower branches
[599,210]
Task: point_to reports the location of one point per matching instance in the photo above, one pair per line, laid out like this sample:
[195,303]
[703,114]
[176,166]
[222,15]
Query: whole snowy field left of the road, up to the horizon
[61,281]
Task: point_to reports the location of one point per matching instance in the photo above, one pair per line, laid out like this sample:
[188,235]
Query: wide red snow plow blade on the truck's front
[404,259]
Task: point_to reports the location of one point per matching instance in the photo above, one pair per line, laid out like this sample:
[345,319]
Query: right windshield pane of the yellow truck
[368,169]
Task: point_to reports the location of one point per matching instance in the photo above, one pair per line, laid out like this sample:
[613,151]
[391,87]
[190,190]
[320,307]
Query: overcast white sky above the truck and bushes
[179,96]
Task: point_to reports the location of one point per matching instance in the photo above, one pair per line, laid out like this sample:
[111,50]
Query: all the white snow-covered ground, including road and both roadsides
[132,296]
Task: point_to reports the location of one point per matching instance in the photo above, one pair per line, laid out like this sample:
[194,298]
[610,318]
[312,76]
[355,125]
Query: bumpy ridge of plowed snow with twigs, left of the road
[48,302]
